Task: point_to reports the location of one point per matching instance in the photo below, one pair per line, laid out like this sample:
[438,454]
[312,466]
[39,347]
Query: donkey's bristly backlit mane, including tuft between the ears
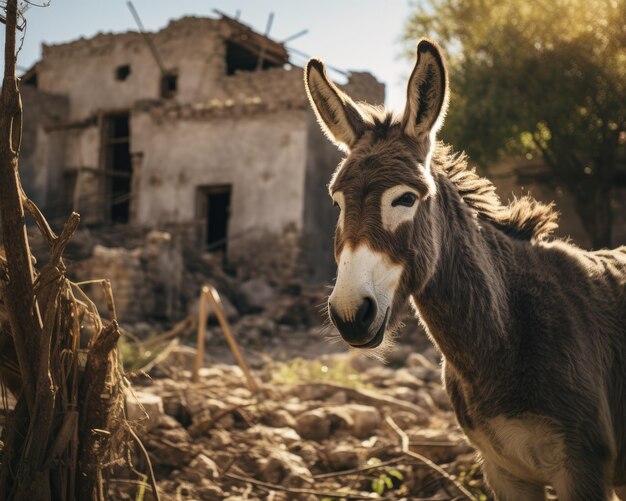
[523,218]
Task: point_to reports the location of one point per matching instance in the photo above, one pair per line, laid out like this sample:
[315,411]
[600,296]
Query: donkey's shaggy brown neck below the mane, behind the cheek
[464,305]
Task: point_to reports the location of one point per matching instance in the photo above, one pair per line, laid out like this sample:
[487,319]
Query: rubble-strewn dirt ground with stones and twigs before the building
[325,423]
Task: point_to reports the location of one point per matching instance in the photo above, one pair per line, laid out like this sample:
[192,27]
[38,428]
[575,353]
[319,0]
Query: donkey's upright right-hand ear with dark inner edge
[427,93]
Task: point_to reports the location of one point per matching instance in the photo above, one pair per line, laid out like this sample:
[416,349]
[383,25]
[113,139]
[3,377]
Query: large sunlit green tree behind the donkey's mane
[545,78]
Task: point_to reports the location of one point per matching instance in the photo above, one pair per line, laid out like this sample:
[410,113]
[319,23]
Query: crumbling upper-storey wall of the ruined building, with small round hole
[85,69]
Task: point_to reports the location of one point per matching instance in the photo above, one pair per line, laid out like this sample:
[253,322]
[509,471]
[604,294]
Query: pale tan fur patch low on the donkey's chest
[528,447]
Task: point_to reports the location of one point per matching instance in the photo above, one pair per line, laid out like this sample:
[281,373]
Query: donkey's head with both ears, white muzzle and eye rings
[387,241]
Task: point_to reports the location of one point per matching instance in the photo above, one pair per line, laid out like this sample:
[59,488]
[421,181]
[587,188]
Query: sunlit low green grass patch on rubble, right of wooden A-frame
[300,370]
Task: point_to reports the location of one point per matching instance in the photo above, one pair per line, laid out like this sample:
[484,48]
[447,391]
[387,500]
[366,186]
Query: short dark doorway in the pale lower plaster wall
[214,209]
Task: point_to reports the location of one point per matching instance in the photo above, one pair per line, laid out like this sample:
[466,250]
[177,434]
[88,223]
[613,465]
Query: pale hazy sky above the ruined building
[347,34]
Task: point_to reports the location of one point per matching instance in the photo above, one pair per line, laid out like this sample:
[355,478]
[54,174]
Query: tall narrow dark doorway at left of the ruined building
[118,166]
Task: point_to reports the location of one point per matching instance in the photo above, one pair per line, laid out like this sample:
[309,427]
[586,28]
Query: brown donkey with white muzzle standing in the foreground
[532,331]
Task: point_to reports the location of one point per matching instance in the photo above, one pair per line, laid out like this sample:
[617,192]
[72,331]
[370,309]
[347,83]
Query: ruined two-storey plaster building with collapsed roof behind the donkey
[202,127]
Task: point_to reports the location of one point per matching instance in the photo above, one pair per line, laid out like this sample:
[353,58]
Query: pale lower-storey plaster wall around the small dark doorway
[261,156]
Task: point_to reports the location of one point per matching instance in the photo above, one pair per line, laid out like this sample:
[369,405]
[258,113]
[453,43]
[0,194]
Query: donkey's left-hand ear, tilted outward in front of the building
[340,117]
